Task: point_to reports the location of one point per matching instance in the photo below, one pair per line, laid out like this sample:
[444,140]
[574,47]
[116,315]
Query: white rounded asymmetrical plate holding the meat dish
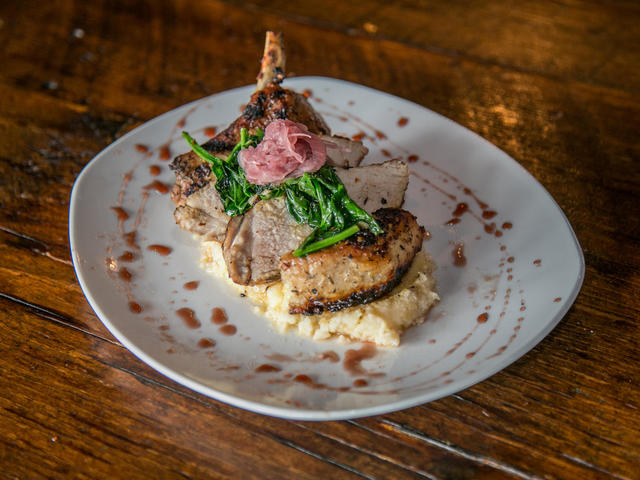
[524,280]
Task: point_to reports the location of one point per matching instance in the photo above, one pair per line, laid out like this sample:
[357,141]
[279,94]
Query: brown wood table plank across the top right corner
[591,42]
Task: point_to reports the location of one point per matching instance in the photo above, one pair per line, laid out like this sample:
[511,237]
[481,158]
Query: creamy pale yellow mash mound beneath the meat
[381,322]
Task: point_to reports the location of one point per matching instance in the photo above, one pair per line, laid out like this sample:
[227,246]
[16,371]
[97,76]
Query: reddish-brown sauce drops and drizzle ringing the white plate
[353,358]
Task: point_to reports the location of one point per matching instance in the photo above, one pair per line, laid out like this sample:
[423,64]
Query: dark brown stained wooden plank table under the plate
[554,84]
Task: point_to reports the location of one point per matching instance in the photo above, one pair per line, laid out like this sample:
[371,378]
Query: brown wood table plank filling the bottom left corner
[122,414]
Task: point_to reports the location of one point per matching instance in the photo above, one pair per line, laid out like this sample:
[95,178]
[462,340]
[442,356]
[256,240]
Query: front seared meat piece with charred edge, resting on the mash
[357,270]
